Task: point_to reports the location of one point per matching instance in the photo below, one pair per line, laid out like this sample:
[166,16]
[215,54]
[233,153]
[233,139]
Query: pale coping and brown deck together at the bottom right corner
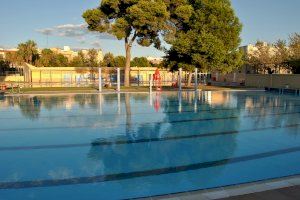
[287,188]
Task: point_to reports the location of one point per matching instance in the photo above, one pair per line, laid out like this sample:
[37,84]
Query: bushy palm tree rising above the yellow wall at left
[28,51]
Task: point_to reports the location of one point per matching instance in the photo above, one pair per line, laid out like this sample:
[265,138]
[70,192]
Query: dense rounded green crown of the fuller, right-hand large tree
[207,37]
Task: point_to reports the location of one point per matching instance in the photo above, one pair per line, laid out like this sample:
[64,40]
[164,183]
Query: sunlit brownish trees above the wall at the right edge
[276,57]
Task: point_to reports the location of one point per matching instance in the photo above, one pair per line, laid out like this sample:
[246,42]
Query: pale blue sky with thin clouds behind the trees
[21,20]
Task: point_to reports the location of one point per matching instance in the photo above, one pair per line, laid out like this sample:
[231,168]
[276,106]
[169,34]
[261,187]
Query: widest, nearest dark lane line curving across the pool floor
[141,174]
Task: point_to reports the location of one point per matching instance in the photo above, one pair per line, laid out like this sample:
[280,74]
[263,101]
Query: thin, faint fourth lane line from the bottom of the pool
[149,113]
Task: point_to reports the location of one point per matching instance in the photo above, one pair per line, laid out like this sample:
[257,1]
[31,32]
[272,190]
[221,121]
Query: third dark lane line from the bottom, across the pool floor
[144,123]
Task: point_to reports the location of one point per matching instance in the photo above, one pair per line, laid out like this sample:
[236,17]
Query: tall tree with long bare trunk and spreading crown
[130,20]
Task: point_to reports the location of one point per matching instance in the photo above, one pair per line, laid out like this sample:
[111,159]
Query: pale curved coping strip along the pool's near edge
[232,190]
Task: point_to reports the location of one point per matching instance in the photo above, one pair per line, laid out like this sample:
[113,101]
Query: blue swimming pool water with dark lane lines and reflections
[122,146]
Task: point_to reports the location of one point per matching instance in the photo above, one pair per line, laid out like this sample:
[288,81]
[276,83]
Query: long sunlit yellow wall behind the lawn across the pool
[113,79]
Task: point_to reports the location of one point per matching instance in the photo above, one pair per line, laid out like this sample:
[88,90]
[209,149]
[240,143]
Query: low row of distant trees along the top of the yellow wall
[28,53]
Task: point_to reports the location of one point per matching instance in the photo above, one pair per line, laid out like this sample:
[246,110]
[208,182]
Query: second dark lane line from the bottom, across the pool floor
[145,140]
